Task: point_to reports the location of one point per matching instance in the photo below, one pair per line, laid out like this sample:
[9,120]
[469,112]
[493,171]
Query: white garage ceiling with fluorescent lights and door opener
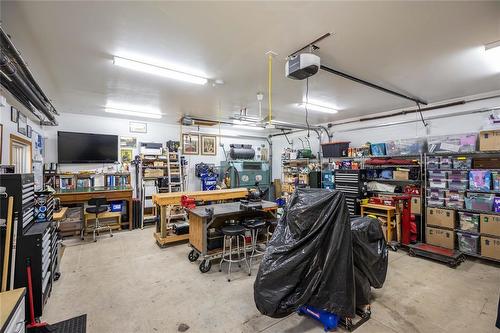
[432,50]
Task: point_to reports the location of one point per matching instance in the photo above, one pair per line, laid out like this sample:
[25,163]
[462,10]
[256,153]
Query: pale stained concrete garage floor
[127,284]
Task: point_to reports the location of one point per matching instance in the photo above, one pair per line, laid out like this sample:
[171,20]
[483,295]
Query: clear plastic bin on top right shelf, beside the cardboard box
[458,143]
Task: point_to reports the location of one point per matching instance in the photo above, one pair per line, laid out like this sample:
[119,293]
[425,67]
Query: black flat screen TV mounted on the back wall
[86,148]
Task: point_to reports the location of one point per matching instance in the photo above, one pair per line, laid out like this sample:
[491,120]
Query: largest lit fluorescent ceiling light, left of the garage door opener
[158,70]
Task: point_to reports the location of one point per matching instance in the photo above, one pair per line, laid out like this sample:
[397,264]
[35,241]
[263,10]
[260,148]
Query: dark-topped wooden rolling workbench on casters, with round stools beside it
[200,220]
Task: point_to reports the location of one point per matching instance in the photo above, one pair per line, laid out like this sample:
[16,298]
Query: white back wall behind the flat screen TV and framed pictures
[157,132]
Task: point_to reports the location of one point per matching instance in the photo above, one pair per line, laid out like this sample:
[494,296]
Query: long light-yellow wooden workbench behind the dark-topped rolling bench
[167,201]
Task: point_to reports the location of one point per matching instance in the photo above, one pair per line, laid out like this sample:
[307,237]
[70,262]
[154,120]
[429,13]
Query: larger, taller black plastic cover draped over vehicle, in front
[309,257]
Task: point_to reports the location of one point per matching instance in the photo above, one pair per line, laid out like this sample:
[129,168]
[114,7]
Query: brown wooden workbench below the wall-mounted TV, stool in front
[113,193]
